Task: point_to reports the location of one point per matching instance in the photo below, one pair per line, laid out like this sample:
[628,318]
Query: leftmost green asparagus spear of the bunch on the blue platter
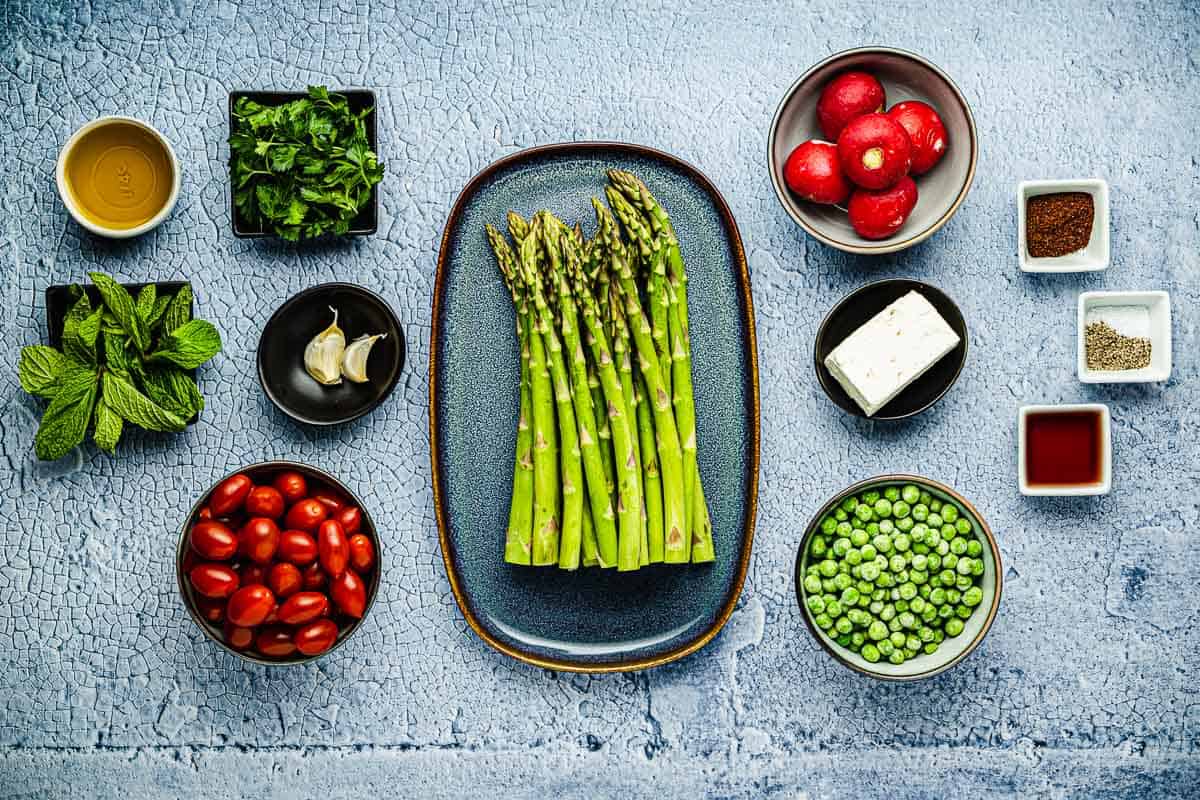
[518,543]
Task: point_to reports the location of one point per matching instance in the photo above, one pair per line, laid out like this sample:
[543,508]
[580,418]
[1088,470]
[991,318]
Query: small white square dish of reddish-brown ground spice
[1063,226]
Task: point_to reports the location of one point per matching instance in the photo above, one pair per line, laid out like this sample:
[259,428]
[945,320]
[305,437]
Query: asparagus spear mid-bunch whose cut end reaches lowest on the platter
[602,513]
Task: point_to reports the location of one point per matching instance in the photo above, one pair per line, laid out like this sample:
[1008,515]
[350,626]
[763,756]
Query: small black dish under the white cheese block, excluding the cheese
[857,309]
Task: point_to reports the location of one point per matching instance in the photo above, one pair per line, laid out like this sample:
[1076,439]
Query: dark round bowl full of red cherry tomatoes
[279,563]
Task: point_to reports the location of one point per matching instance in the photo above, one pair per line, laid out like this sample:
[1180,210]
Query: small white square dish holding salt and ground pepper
[1125,338]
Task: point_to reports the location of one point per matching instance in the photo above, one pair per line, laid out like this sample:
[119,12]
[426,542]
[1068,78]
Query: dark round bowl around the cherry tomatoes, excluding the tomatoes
[263,474]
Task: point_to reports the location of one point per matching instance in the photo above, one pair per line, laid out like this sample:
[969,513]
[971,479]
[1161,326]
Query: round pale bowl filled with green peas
[899,578]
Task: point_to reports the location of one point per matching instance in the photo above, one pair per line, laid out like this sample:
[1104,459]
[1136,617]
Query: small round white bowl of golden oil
[119,176]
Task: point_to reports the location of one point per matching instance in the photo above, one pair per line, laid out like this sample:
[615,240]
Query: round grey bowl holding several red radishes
[873,151]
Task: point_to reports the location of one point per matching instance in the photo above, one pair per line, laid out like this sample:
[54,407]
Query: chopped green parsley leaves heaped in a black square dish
[304,169]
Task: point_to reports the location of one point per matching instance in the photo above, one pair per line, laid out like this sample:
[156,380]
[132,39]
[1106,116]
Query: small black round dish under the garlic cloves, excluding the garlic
[292,327]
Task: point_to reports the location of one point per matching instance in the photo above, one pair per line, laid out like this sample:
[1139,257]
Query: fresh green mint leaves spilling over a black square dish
[124,362]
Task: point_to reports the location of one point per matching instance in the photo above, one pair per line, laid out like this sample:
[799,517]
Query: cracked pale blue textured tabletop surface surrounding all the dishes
[1087,685]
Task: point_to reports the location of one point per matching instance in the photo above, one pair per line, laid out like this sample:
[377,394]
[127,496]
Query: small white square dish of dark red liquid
[1065,450]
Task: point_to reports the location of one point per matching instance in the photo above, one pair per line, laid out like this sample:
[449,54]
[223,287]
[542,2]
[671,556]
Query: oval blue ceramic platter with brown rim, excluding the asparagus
[591,621]
